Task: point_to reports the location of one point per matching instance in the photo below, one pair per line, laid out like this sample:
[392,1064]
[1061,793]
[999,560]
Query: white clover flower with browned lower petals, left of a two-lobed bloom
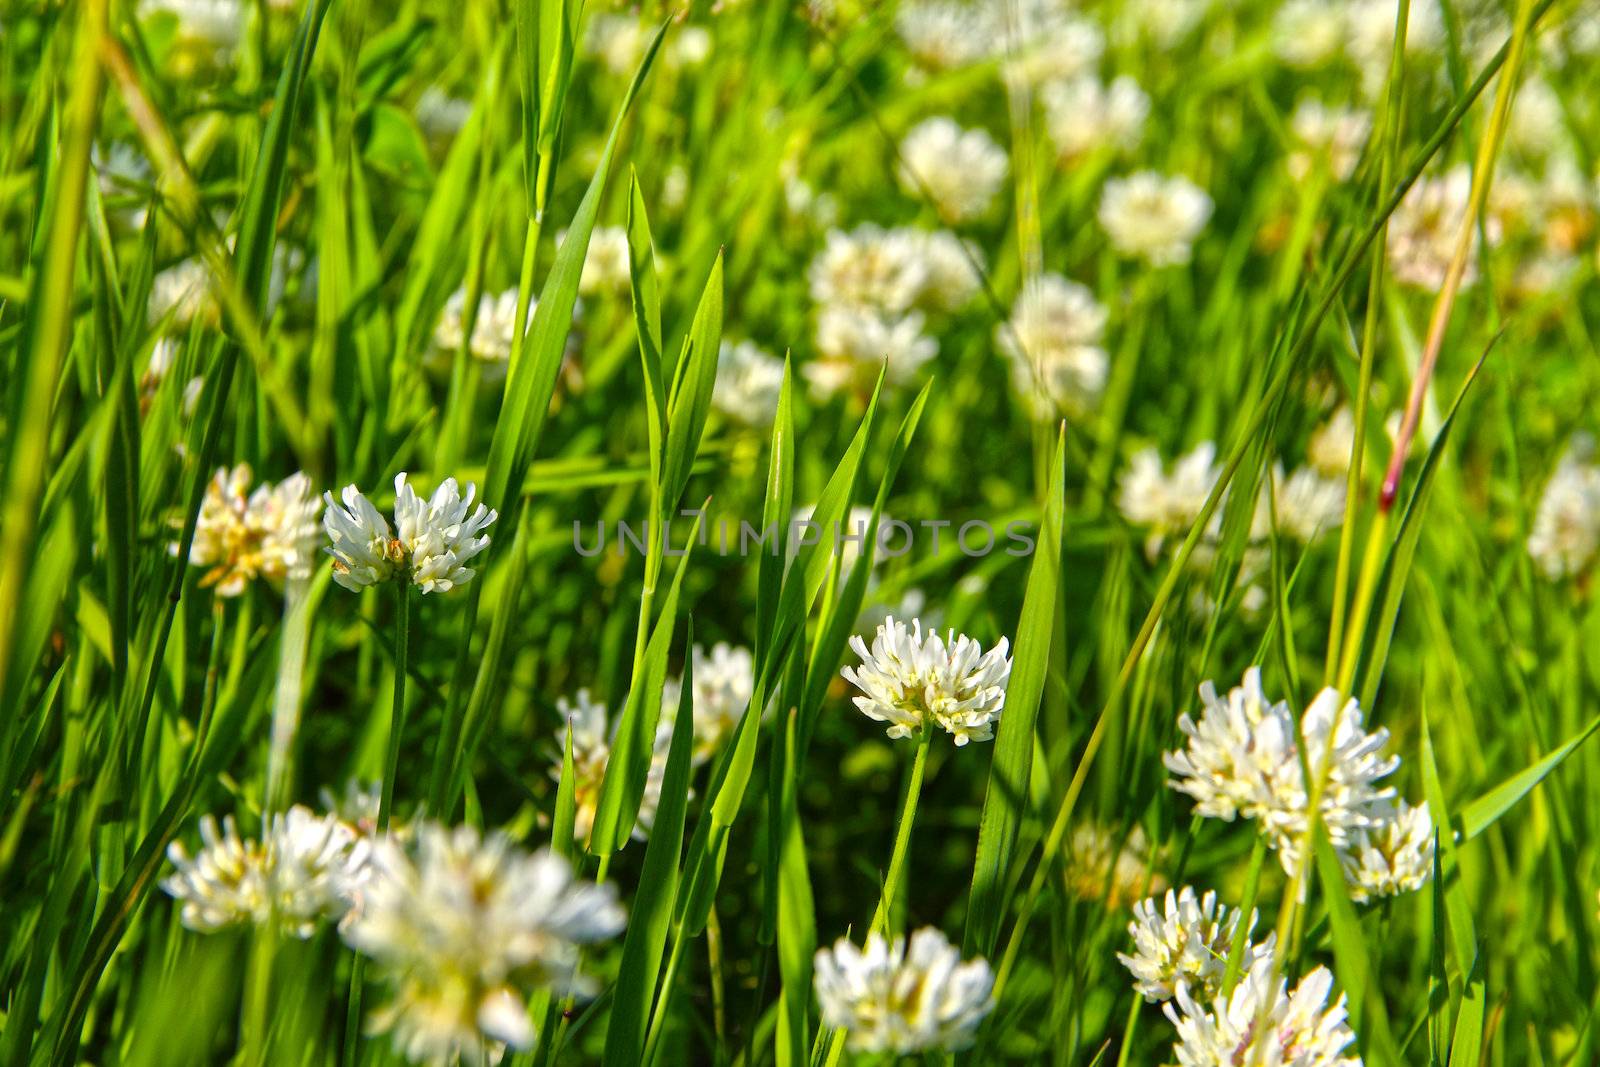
[273,533]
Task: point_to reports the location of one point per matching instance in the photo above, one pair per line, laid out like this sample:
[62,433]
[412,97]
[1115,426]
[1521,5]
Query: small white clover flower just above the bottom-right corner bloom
[1186,945]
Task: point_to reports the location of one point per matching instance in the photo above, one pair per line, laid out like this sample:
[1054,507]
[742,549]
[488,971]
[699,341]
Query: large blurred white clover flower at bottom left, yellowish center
[465,927]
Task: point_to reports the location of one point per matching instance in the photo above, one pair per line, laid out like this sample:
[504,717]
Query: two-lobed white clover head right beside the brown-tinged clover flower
[430,546]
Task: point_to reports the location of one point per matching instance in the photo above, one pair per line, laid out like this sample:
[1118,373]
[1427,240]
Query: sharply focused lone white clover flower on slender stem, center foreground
[916,682]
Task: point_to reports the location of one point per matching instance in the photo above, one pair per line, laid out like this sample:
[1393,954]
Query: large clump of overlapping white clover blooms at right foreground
[1244,761]
